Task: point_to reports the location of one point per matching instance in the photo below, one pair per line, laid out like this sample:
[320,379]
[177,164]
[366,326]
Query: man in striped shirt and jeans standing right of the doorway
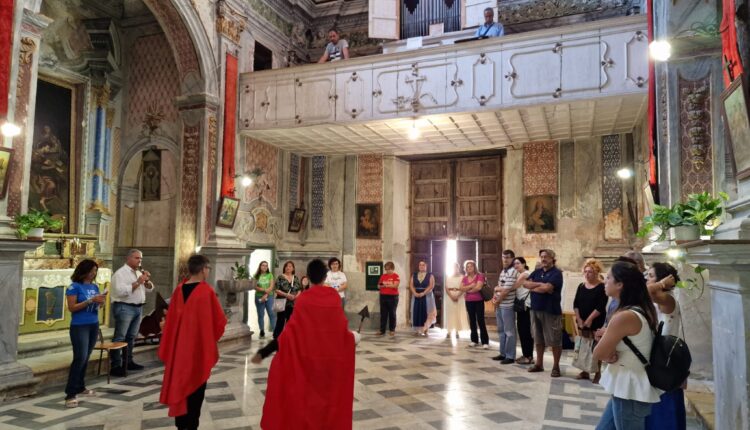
[505,294]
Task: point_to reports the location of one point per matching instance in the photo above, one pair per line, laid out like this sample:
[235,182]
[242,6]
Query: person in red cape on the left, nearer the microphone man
[195,323]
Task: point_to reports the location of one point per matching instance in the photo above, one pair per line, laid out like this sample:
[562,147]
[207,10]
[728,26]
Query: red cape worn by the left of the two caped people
[188,345]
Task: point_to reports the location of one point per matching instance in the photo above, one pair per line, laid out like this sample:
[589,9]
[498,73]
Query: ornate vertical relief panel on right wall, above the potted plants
[696,158]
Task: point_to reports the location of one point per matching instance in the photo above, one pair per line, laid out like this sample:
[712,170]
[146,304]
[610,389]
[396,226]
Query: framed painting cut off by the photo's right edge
[735,111]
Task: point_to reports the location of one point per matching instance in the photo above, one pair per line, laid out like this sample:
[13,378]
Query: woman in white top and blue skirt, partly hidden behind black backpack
[669,413]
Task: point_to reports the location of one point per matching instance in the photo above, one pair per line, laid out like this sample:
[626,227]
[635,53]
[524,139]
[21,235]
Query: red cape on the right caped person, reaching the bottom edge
[311,379]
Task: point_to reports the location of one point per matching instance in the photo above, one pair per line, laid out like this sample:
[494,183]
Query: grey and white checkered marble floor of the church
[404,382]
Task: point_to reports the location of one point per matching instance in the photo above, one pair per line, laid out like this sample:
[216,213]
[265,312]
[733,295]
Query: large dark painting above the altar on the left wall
[53,150]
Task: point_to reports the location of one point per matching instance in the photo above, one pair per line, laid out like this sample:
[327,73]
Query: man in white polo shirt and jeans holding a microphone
[129,286]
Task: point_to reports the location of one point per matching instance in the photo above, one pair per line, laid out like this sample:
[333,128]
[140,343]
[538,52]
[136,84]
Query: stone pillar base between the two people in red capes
[222,260]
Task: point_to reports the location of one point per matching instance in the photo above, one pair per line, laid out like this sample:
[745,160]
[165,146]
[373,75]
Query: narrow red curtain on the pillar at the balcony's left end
[230,123]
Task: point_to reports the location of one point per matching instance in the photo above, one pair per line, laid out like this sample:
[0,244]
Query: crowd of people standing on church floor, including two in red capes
[625,303]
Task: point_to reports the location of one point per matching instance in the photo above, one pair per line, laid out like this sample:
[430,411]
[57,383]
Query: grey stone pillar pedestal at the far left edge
[16,379]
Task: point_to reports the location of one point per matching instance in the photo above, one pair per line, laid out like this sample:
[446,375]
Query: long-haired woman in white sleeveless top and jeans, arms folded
[625,377]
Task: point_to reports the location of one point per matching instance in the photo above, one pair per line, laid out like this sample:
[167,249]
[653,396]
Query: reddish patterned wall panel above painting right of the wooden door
[540,168]
